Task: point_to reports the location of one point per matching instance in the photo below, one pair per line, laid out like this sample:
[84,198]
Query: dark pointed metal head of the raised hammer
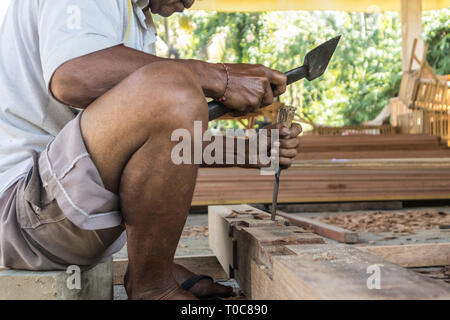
[318,59]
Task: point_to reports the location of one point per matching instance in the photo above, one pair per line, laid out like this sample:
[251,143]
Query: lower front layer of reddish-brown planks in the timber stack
[325,181]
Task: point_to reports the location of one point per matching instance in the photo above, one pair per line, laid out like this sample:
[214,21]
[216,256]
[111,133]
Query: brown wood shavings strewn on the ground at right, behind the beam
[396,222]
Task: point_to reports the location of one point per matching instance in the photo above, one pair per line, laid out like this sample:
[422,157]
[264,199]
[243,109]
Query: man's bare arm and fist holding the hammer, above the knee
[80,81]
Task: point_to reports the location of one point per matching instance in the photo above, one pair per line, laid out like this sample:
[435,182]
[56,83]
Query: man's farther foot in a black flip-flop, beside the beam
[205,288]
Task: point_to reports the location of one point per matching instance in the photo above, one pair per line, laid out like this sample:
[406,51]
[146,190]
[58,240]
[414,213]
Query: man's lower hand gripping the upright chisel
[288,143]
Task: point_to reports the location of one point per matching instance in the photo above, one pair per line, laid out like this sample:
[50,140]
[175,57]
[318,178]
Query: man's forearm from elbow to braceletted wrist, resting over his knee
[82,80]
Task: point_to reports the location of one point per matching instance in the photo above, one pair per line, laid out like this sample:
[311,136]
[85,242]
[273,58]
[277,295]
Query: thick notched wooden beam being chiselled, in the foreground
[273,261]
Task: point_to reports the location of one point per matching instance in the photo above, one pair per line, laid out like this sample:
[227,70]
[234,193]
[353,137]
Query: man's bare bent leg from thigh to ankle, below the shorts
[127,132]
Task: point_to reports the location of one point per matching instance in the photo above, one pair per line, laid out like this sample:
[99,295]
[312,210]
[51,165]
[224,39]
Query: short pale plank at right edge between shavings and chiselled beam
[414,255]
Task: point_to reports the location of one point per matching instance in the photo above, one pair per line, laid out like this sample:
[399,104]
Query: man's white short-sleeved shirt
[36,37]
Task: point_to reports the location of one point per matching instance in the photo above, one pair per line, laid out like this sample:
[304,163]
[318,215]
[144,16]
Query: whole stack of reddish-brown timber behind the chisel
[340,168]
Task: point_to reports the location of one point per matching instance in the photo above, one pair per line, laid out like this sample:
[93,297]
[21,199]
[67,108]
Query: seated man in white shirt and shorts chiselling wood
[72,182]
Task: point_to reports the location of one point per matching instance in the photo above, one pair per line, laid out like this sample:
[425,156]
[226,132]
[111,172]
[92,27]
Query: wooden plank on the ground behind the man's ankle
[207,265]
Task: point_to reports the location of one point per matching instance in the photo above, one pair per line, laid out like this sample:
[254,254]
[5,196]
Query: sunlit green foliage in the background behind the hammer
[363,76]
